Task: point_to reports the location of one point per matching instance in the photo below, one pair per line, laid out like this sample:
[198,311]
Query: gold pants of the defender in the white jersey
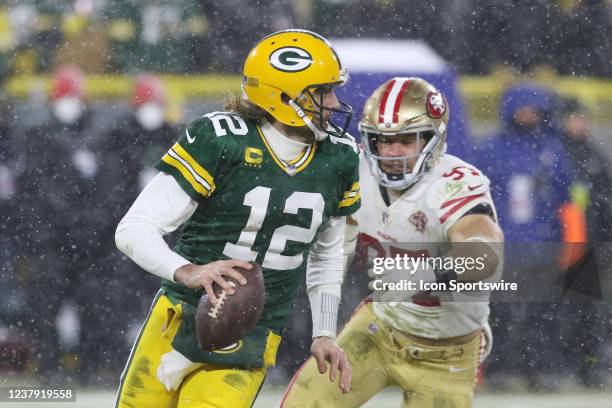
[381,357]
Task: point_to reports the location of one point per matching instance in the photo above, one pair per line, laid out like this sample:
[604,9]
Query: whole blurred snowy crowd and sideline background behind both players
[93,92]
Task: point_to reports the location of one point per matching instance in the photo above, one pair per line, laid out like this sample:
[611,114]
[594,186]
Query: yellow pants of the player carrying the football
[207,386]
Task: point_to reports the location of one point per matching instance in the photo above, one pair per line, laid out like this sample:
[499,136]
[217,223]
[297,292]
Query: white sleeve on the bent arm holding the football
[160,208]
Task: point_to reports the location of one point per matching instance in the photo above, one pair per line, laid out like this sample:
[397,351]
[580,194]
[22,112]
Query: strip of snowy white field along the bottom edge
[270,398]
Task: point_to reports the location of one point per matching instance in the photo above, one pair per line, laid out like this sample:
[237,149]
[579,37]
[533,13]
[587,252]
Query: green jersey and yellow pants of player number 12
[252,206]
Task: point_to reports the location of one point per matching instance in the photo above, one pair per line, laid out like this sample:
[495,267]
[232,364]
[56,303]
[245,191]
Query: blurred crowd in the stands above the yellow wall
[190,36]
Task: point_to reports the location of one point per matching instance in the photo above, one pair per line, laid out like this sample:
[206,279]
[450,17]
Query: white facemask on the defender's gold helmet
[407,175]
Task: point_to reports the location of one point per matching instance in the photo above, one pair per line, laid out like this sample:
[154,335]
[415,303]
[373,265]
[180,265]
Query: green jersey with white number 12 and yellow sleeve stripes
[254,206]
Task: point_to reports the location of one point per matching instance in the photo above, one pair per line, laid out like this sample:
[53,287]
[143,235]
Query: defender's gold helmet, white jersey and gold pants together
[428,347]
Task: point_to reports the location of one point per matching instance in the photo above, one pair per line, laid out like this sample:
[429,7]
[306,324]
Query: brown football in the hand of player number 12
[222,324]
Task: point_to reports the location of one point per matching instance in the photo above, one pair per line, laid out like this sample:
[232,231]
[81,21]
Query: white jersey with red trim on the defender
[424,214]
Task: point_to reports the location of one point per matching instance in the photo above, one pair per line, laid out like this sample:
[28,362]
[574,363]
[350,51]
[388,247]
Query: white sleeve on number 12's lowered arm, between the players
[324,278]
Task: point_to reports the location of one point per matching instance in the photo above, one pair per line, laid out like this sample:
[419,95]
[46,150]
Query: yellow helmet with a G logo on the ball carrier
[288,72]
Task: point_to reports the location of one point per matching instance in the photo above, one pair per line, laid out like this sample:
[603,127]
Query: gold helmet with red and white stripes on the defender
[403,106]
